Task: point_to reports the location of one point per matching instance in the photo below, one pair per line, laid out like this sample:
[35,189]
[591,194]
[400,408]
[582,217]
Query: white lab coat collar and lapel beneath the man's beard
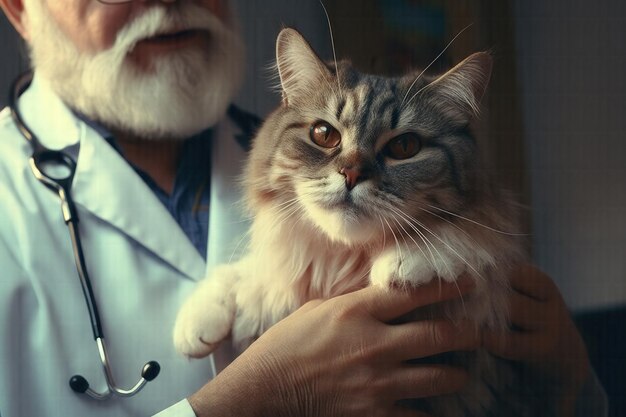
[106,186]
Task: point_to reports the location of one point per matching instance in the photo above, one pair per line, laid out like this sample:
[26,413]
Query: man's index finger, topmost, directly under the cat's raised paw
[388,304]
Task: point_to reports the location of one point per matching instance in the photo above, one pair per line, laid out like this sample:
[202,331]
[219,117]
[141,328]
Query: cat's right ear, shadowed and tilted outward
[463,87]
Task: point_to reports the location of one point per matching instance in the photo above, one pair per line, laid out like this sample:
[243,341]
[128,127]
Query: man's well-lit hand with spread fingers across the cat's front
[341,357]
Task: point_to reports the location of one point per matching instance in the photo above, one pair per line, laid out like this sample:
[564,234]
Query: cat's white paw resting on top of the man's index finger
[414,265]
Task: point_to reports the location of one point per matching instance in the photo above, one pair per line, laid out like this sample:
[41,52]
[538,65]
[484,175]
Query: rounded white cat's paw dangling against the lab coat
[201,327]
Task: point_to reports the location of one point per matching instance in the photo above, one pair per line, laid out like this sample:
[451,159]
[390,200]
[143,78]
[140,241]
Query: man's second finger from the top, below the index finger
[431,337]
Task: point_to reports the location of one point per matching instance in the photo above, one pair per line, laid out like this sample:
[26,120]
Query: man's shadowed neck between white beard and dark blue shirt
[157,158]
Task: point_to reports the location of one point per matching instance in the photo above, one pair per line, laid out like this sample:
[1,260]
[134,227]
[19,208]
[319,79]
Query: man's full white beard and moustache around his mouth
[183,93]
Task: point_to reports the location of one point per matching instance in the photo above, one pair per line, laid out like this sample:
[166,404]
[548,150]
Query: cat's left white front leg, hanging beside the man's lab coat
[206,317]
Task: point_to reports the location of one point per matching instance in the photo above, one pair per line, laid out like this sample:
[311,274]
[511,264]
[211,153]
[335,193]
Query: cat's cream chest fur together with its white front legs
[290,262]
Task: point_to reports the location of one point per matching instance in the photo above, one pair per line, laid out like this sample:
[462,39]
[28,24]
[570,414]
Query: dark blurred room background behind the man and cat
[553,125]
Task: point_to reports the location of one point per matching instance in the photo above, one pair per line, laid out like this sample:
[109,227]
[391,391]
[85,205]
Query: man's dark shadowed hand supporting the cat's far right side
[543,336]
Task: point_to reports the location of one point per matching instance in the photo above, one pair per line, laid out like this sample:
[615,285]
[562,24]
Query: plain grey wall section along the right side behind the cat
[572,65]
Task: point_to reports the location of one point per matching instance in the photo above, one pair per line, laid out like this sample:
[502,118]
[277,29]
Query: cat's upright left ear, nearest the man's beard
[301,71]
